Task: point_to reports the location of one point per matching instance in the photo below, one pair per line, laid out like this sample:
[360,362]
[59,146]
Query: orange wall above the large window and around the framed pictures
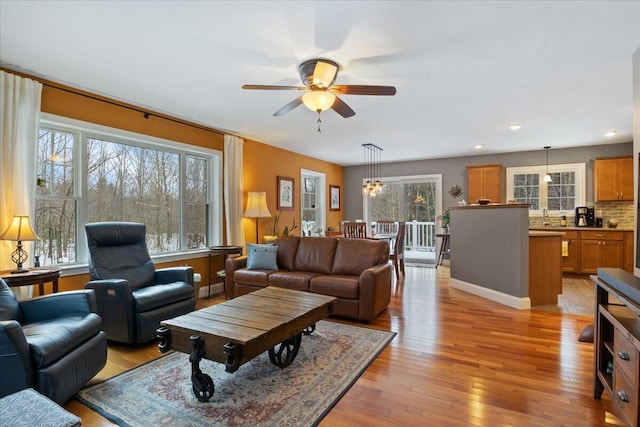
[262,162]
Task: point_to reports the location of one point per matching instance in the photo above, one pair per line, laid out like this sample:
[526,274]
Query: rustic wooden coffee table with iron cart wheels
[234,332]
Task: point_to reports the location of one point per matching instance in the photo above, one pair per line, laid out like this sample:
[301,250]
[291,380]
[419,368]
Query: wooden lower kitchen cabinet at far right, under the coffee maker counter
[600,249]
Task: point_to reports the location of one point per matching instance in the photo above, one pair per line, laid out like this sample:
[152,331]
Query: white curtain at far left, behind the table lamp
[19,122]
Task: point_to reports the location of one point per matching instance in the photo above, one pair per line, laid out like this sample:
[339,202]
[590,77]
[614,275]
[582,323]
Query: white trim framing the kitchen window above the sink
[581,187]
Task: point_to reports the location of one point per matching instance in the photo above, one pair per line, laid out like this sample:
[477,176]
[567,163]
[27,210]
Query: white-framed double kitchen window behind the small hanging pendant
[560,197]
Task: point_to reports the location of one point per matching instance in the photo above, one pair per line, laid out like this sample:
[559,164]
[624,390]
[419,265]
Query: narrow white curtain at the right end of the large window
[233,189]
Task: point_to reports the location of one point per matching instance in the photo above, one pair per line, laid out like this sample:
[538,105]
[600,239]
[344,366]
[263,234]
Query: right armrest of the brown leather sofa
[375,291]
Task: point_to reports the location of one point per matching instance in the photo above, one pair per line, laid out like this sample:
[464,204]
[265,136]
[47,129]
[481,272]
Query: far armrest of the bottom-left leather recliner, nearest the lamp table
[55,305]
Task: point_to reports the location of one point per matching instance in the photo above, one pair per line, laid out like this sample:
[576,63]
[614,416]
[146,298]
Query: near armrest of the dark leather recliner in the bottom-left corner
[15,369]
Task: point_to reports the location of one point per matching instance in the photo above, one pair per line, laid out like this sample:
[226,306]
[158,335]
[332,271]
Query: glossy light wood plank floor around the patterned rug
[458,360]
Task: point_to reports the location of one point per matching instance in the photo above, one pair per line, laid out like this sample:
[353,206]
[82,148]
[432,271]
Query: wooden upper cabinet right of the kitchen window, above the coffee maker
[613,179]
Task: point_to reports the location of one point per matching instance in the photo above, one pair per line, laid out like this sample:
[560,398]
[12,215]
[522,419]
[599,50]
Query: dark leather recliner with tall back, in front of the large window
[132,296]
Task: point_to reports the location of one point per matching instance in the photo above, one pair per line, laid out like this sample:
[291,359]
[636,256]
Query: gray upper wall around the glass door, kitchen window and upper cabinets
[454,173]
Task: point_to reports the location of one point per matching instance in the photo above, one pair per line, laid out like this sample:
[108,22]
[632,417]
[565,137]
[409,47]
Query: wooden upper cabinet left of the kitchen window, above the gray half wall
[486,182]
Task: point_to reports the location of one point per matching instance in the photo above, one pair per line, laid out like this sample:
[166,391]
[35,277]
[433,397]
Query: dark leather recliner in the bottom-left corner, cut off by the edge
[53,343]
